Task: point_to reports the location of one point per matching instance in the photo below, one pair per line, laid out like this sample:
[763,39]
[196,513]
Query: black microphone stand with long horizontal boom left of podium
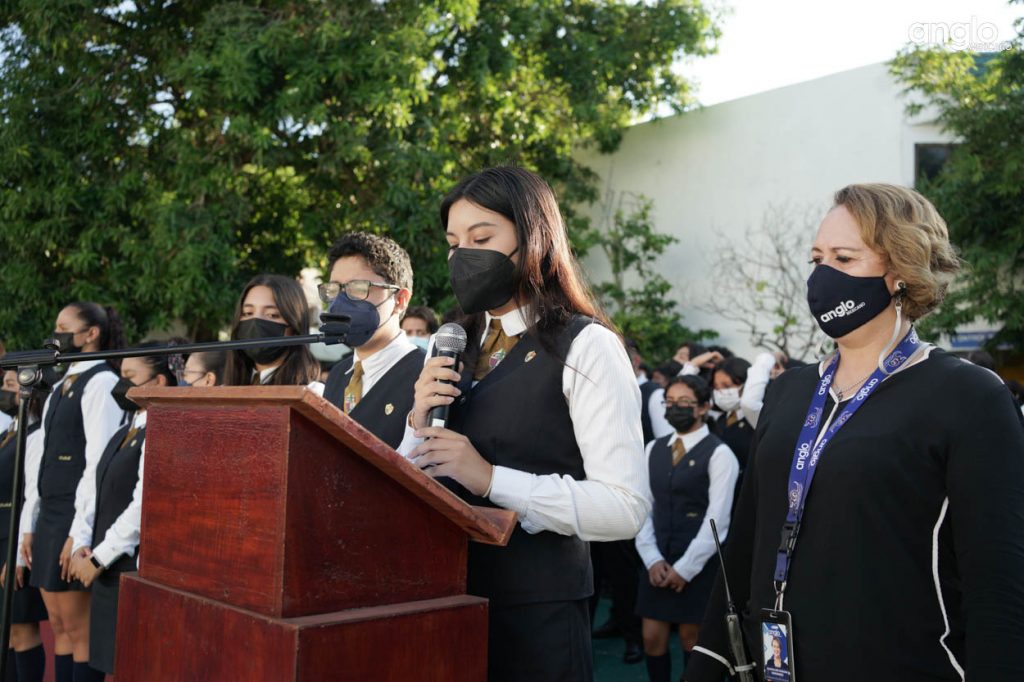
[30,364]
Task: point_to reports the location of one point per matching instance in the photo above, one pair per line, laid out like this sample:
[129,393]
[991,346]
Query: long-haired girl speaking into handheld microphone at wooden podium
[545,420]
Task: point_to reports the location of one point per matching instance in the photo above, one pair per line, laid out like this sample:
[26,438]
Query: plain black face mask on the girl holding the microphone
[482,279]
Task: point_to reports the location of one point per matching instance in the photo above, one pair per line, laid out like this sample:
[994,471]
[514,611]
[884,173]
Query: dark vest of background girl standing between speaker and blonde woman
[680,494]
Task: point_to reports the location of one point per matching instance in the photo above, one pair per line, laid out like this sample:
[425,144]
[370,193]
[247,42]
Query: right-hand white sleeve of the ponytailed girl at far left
[102,418]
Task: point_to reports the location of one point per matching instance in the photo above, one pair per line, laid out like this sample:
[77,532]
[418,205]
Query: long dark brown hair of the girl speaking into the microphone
[548,280]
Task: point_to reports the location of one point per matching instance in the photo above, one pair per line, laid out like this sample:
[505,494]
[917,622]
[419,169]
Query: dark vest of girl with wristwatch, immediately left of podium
[117,476]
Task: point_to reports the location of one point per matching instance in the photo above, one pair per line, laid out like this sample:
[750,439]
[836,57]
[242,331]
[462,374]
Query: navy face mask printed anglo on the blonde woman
[842,304]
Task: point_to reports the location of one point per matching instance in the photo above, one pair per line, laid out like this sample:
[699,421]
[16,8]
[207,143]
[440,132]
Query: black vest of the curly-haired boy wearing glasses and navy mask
[386,407]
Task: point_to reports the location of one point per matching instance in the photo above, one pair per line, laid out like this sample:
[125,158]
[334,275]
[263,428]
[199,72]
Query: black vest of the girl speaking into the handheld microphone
[518,417]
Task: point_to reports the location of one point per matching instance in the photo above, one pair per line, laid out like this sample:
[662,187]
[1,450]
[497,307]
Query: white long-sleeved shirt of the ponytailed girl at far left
[102,418]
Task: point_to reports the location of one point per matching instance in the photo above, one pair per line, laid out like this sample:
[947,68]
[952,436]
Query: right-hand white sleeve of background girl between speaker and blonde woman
[723,471]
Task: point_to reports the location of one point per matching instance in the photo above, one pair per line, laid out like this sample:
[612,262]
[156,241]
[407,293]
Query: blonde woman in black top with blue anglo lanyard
[892,473]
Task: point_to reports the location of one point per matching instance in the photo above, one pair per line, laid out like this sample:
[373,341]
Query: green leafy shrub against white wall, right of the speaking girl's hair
[645,312]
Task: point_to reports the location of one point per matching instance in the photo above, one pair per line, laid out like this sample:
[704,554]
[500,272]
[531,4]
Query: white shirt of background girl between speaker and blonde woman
[723,471]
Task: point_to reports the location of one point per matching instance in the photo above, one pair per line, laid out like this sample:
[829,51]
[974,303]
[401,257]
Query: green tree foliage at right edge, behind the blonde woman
[980,191]
